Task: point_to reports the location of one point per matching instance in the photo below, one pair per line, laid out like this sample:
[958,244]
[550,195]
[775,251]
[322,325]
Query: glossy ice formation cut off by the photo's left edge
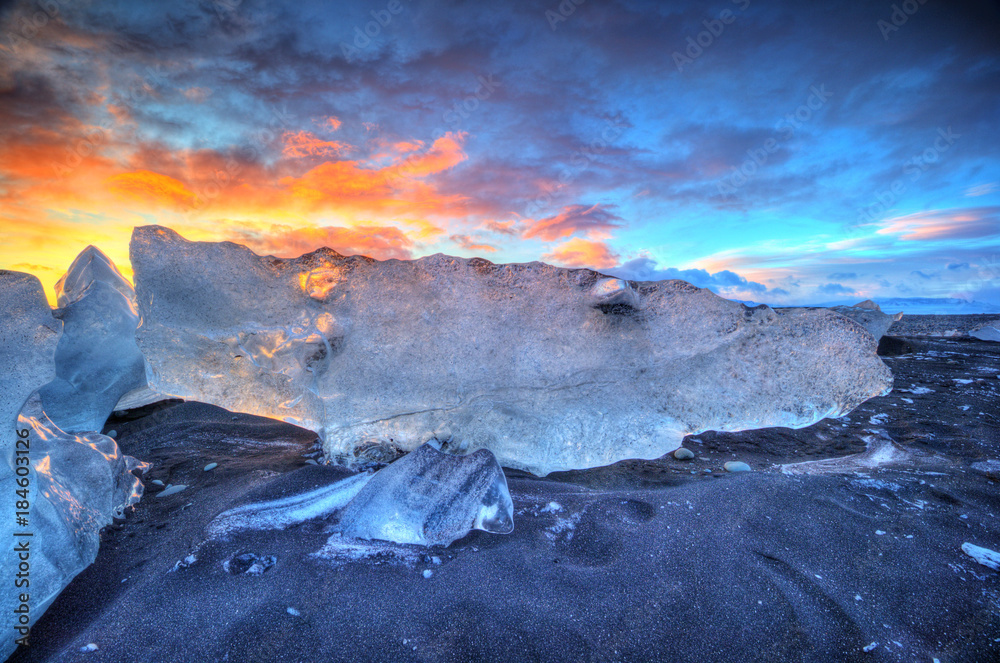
[71,486]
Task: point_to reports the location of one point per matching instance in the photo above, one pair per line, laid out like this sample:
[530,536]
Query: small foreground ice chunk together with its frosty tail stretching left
[427,497]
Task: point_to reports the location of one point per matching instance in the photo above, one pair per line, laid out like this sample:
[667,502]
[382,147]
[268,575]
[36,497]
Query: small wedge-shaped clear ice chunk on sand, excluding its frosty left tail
[431,498]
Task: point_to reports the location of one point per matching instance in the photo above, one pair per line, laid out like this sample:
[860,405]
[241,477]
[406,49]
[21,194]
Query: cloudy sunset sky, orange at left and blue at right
[781,152]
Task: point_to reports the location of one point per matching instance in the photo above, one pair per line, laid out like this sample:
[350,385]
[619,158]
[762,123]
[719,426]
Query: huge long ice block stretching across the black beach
[548,368]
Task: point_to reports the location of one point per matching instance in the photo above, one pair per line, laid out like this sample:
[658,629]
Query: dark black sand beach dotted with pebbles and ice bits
[644,560]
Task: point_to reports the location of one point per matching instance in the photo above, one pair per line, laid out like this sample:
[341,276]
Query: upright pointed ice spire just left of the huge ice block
[97,360]
